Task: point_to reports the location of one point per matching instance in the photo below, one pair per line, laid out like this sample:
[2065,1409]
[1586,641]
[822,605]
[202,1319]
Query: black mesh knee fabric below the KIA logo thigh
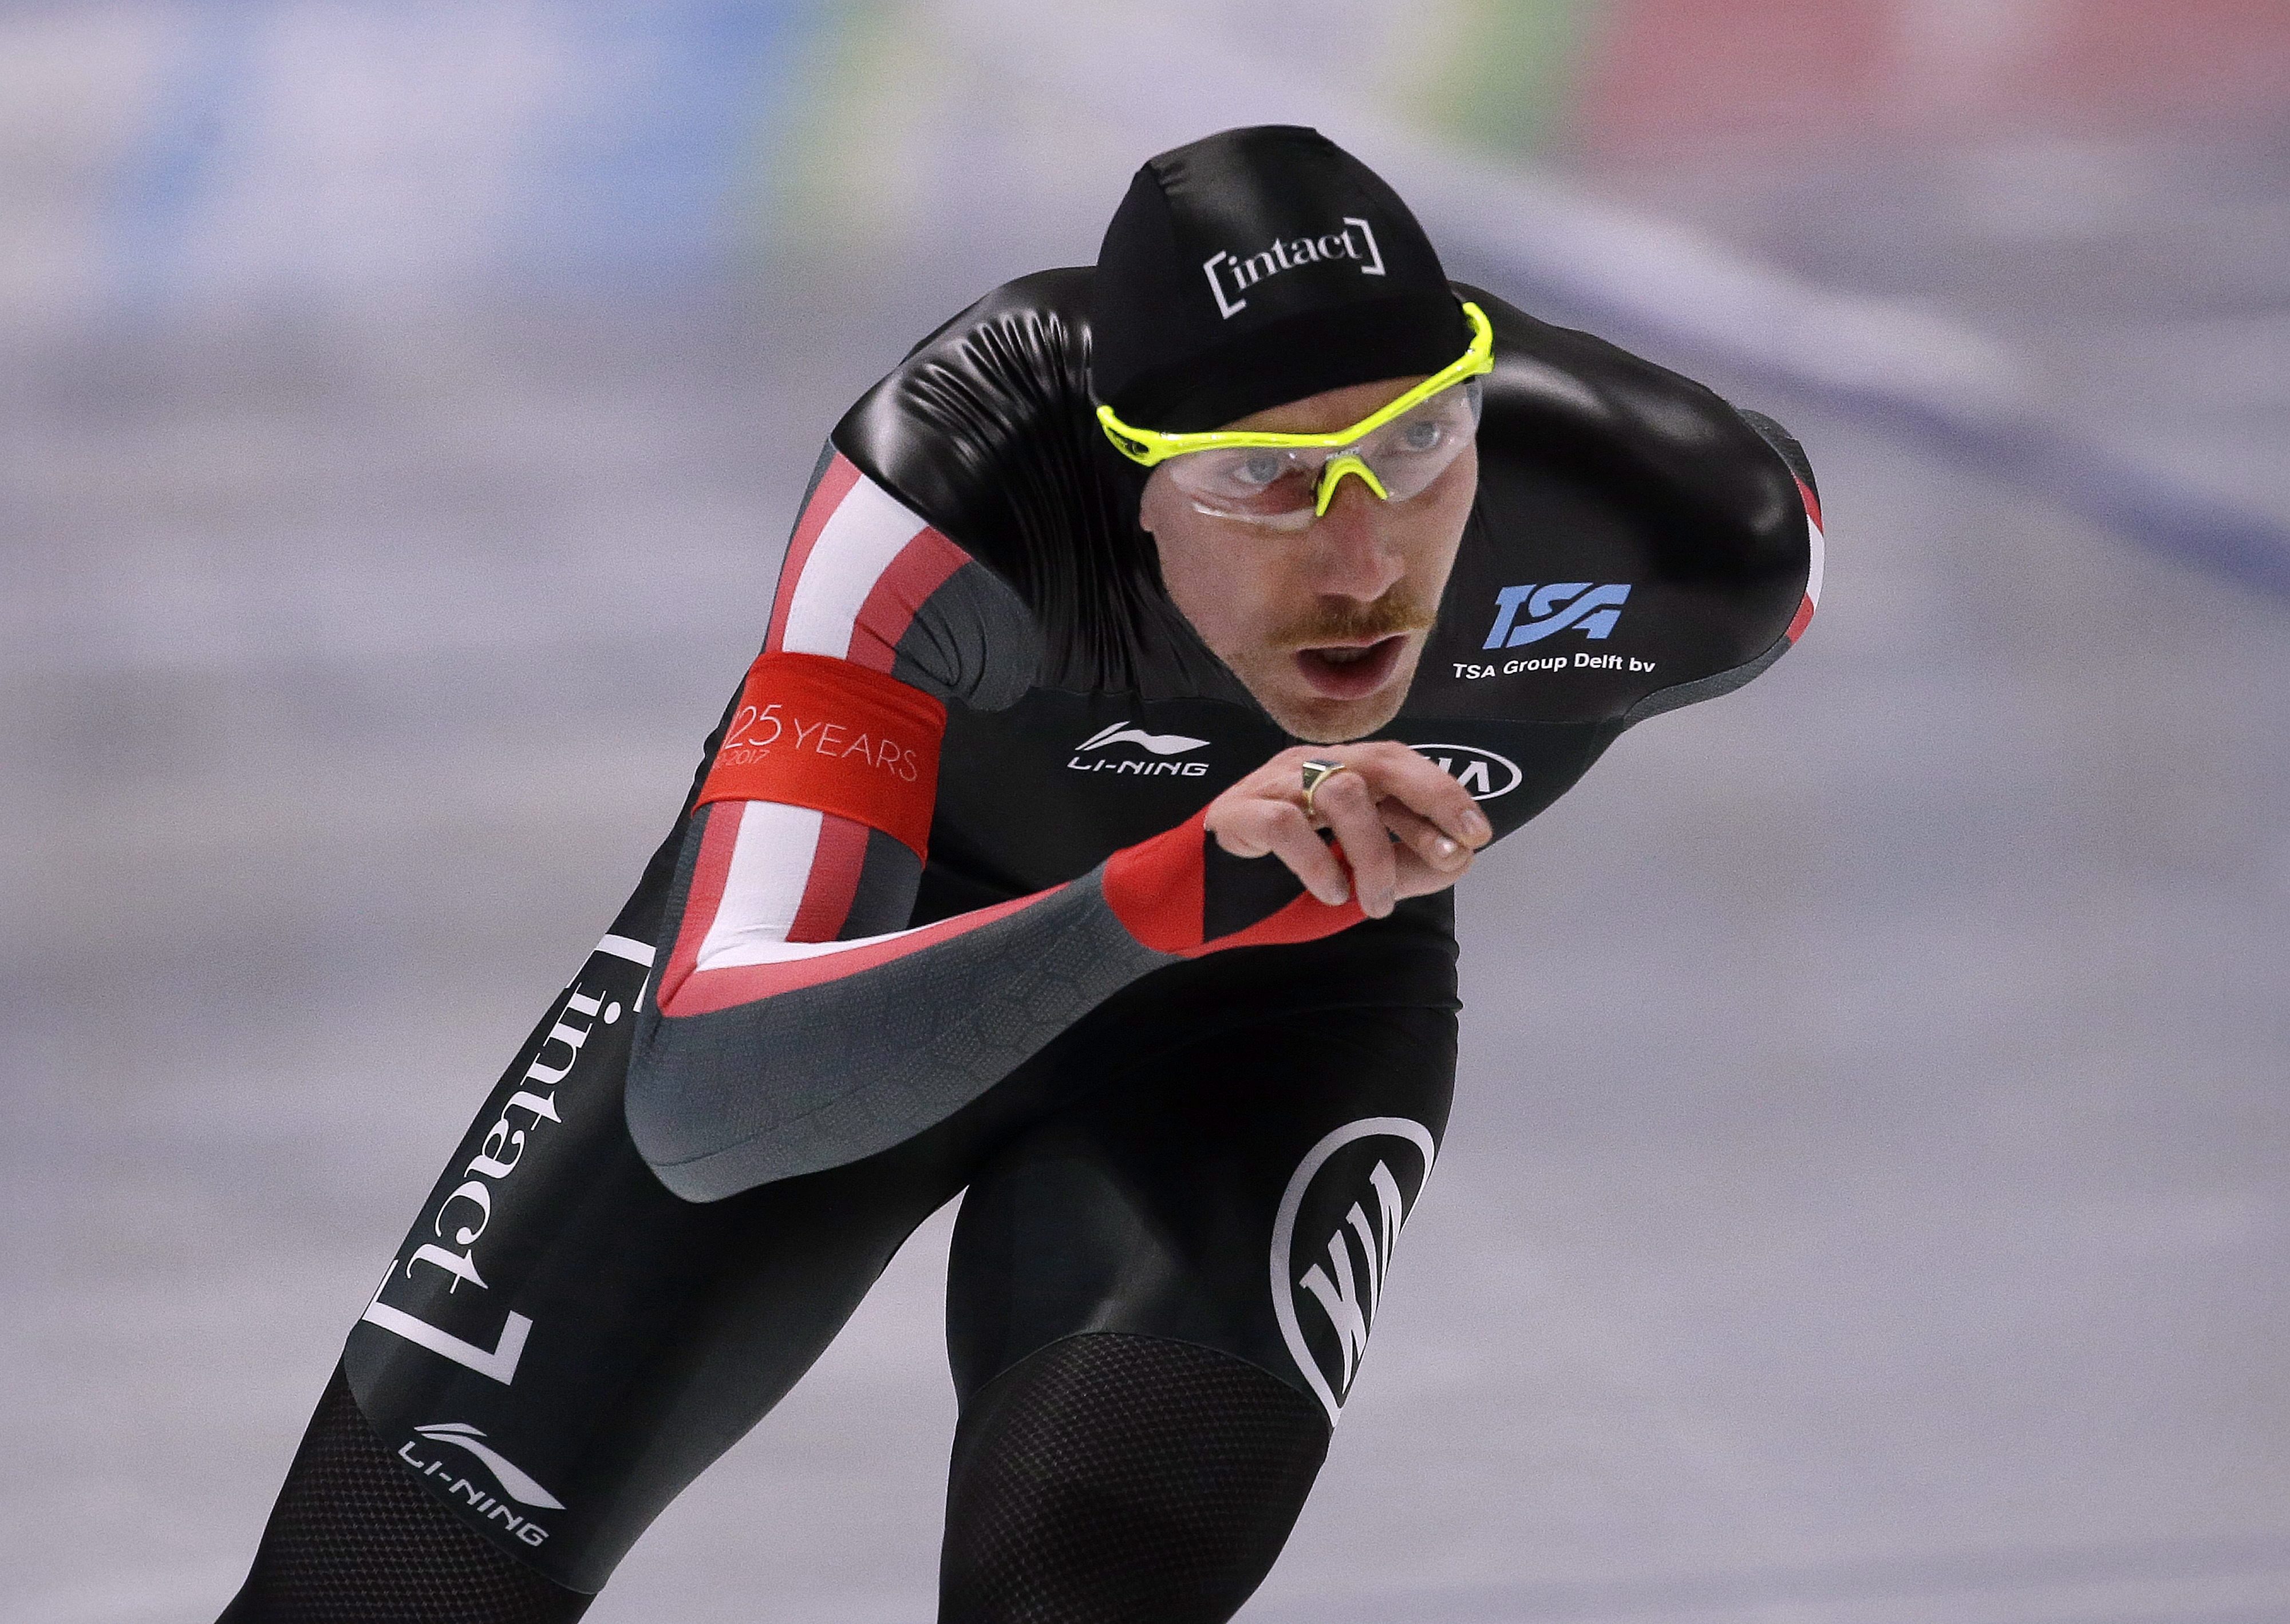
[1123,1481]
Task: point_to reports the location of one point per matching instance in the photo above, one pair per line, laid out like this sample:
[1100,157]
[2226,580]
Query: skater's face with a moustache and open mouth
[1325,626]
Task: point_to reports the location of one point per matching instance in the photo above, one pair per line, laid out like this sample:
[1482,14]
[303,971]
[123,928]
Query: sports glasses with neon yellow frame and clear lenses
[1286,482]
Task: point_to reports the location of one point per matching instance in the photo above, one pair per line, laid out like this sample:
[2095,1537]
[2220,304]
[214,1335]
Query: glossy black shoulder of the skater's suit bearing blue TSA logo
[1634,537]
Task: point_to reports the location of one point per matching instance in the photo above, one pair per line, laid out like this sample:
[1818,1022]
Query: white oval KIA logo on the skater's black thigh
[1334,1245]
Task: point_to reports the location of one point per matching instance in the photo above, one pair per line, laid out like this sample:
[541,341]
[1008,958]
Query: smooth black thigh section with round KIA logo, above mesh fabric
[1242,1192]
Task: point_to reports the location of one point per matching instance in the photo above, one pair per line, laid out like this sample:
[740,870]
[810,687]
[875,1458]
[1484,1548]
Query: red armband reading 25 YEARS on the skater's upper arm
[839,739]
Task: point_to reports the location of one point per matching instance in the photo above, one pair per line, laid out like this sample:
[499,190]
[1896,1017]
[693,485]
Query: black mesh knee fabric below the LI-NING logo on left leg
[352,1540]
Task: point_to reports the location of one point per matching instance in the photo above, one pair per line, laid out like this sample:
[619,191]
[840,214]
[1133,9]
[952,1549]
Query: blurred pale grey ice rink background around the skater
[1865,1197]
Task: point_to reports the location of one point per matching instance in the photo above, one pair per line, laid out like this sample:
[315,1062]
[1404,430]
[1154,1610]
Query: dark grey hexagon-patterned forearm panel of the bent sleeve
[828,1075]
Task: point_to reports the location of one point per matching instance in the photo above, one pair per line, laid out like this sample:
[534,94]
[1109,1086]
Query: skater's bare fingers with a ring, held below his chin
[1405,828]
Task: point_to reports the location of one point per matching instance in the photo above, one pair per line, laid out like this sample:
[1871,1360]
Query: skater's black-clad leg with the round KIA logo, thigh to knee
[1158,1307]
